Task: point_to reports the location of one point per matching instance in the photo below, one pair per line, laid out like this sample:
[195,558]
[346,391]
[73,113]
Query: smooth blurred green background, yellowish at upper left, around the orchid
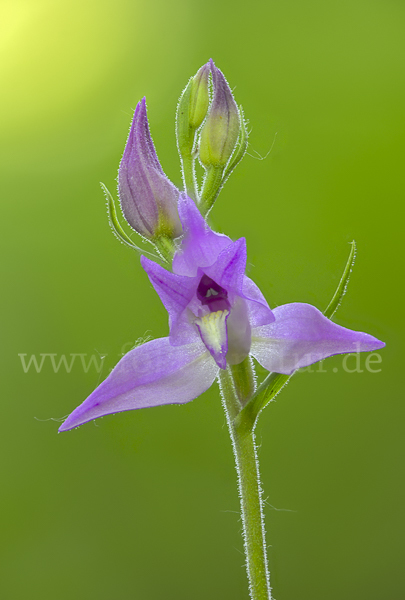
[143,505]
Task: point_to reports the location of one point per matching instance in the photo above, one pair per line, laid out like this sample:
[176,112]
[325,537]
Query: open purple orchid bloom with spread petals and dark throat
[217,317]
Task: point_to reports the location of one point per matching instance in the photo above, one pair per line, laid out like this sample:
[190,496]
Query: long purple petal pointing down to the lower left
[153,374]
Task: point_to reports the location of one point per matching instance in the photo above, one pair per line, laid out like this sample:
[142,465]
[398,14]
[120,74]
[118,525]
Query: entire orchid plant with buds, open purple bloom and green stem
[219,321]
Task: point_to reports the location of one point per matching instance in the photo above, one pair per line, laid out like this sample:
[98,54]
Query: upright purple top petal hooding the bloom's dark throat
[200,246]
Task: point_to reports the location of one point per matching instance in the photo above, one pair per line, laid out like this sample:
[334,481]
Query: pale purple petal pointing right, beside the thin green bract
[301,335]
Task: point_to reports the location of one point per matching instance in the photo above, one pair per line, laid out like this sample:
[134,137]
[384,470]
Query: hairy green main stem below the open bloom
[250,493]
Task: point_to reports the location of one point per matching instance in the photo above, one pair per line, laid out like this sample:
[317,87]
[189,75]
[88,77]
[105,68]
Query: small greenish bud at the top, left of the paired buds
[192,109]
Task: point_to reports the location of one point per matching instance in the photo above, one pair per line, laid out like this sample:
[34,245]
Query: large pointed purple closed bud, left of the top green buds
[148,198]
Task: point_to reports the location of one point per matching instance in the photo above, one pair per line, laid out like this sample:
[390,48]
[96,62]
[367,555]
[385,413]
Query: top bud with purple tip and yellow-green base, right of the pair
[221,129]
